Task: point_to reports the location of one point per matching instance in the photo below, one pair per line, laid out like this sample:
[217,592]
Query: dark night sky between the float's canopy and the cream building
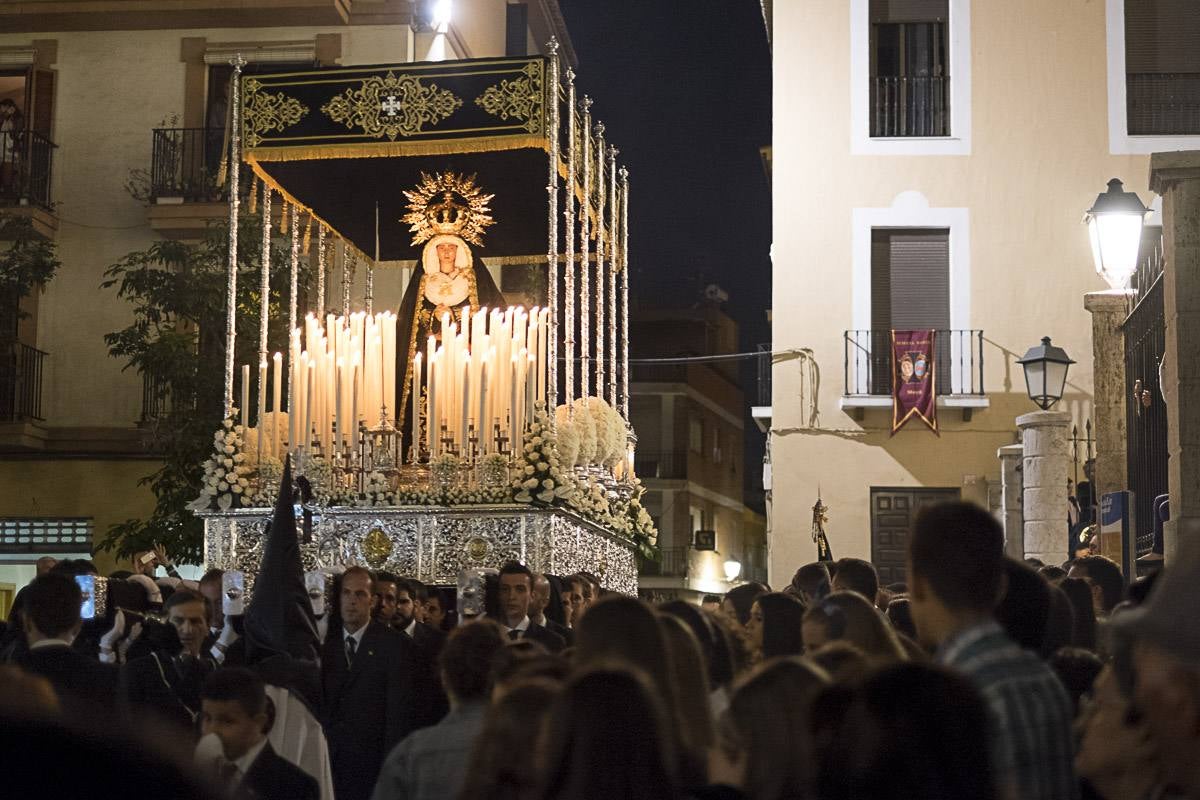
[685,92]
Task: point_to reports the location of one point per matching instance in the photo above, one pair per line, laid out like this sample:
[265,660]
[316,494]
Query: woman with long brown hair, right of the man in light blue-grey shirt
[493,771]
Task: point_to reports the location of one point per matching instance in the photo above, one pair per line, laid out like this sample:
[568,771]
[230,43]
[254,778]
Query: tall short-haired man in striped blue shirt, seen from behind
[956,579]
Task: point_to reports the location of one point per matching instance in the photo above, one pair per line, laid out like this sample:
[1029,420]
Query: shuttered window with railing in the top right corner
[1162,68]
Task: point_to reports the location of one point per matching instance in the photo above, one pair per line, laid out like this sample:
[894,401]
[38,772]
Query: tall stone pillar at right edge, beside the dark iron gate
[1177,178]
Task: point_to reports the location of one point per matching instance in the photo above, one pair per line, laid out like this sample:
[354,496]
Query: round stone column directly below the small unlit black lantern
[1045,461]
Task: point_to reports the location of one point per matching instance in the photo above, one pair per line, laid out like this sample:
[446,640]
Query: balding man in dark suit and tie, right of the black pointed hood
[368,679]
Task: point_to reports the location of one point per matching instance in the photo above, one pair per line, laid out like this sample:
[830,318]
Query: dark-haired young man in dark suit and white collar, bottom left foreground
[235,709]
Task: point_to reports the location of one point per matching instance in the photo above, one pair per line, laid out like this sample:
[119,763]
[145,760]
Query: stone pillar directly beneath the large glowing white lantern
[1109,310]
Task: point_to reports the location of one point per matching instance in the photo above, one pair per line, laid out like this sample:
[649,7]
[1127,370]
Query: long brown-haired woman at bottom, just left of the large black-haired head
[765,747]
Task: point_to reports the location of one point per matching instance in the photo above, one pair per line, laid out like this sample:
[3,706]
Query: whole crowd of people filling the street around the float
[981,677]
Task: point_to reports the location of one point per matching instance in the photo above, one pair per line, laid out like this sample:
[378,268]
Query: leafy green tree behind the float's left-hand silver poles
[178,297]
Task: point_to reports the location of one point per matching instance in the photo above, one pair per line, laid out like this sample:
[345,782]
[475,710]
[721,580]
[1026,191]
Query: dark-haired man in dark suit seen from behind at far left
[52,622]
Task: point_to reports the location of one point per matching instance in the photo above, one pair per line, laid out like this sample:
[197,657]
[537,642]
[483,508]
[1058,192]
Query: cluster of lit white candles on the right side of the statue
[488,371]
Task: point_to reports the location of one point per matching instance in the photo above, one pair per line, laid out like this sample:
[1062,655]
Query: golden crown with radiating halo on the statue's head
[448,203]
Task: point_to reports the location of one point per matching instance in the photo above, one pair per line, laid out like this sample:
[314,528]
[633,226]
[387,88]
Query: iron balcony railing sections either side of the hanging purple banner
[958,362]
